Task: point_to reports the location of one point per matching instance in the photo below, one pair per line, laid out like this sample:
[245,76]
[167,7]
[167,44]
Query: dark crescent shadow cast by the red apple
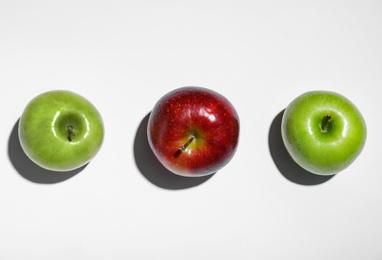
[153,170]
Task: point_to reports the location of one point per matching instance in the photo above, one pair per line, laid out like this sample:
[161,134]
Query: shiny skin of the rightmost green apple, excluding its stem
[318,151]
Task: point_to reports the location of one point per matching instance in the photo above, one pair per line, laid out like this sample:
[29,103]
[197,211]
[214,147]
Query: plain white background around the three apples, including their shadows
[123,56]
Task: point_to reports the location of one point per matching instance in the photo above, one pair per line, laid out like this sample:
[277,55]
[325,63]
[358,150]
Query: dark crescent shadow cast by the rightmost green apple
[284,162]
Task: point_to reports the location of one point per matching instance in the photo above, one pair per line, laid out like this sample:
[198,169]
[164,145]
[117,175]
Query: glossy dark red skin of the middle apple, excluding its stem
[193,112]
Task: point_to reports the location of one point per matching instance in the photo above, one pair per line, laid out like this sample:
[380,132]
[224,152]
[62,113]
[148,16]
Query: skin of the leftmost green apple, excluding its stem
[44,134]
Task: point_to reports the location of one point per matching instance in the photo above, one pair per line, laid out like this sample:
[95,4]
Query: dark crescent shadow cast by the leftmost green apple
[28,169]
